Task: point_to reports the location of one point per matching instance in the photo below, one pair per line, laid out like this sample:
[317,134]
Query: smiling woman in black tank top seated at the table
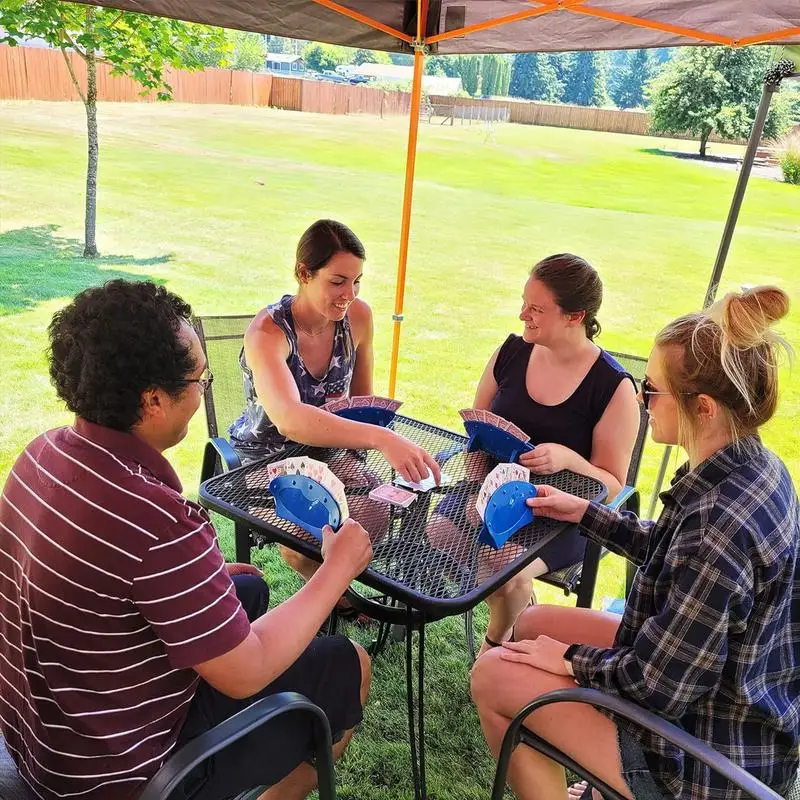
[576,403]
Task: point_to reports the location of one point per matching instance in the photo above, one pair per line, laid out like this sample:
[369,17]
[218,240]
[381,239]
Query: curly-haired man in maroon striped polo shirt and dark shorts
[122,633]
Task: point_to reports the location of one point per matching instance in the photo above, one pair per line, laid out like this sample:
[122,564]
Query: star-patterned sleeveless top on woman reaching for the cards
[254,435]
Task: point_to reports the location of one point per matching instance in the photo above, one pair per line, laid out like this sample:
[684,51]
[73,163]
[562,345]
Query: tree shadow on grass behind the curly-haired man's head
[38,265]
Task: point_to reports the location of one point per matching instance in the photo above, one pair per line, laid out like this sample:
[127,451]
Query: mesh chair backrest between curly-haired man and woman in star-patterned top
[221,338]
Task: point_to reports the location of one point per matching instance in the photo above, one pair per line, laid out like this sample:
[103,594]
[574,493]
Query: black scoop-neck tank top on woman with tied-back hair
[570,423]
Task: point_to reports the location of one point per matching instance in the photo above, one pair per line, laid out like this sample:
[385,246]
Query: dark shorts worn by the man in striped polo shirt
[328,673]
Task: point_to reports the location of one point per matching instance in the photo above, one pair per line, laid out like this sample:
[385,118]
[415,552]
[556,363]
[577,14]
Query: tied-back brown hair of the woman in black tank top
[575,284]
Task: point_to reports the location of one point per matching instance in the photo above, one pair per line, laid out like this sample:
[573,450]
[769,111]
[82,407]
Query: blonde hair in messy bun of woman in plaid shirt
[729,352]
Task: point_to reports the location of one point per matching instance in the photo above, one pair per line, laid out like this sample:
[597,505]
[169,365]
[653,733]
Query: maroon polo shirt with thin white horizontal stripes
[111,587]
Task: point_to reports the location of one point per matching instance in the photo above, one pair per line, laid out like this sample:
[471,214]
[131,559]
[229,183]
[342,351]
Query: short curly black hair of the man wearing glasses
[113,342]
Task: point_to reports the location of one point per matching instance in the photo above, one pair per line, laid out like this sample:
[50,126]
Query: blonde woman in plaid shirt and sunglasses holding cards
[710,636]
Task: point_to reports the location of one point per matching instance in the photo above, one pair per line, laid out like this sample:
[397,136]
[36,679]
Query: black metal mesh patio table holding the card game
[421,582]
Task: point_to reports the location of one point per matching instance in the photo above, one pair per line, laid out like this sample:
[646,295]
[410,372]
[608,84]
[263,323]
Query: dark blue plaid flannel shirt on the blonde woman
[710,636]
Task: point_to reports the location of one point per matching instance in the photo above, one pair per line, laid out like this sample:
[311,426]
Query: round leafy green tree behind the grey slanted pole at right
[709,89]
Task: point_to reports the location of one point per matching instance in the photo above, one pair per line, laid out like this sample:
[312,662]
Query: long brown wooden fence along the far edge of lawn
[28,73]
